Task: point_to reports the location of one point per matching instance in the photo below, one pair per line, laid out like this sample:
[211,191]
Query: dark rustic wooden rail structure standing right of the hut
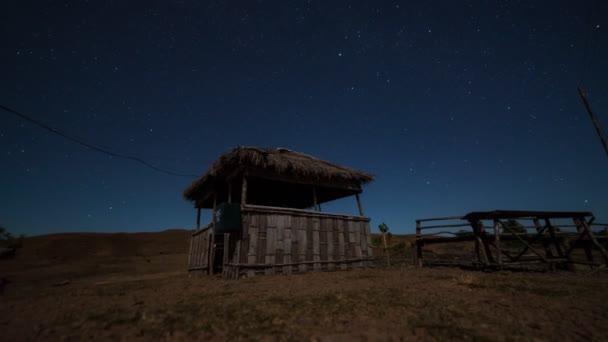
[551,238]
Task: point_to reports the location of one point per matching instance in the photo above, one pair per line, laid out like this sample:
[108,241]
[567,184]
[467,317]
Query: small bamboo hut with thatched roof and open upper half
[267,215]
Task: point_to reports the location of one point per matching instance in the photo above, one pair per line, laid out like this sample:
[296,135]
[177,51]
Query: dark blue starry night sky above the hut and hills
[455,106]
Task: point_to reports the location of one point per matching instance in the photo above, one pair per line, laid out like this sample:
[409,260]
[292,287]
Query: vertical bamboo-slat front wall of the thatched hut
[289,241]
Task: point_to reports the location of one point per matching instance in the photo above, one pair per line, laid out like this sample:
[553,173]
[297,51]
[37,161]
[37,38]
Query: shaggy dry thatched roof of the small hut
[274,164]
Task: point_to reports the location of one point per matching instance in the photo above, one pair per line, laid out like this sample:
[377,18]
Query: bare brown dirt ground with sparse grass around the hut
[135,287]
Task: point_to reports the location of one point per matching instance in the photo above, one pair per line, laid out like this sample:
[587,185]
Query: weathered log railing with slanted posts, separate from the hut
[549,241]
